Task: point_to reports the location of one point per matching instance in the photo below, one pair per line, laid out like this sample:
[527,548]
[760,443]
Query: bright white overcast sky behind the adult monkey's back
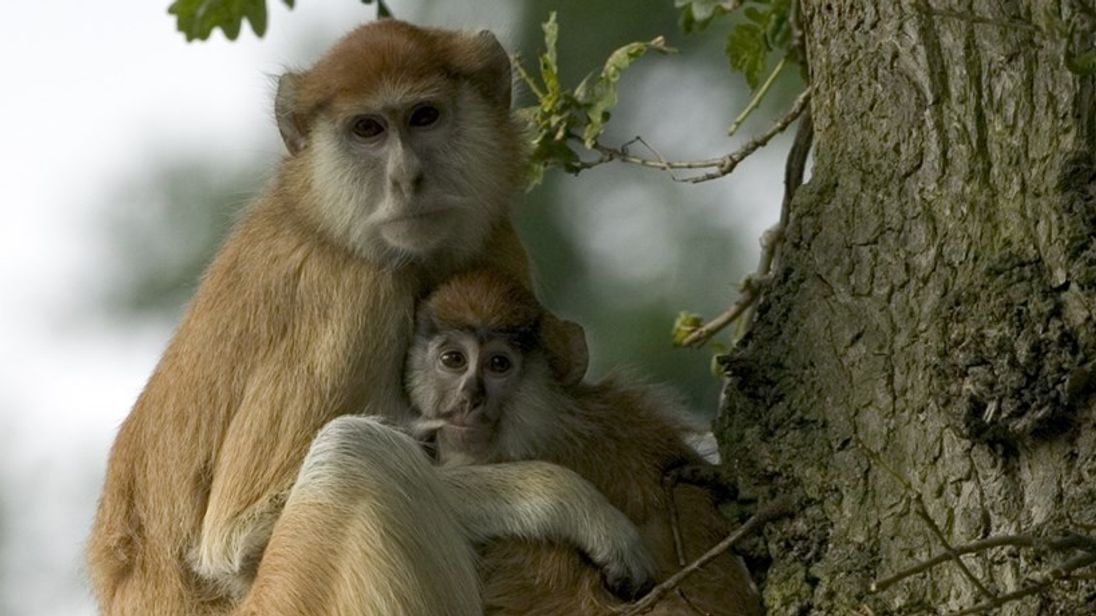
[92,94]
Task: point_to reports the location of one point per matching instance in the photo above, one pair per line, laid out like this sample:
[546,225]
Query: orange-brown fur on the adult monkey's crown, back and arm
[290,329]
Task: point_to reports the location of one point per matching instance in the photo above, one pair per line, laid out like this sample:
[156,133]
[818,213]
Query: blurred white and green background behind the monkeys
[128,154]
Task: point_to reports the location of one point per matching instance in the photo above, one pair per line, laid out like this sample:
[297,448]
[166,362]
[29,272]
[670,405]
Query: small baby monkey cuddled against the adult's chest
[498,379]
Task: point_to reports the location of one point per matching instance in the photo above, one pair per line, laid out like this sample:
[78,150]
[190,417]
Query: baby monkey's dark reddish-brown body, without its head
[623,439]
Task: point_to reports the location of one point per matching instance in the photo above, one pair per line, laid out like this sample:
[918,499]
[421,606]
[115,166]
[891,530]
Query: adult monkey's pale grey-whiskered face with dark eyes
[406,173]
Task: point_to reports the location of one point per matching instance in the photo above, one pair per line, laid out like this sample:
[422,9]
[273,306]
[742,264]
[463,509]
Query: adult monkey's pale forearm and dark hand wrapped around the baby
[536,500]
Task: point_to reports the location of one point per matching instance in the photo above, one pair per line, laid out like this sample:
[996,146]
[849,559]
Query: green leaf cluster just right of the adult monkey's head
[563,115]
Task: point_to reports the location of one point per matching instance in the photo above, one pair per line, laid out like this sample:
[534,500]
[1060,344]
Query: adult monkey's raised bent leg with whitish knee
[367,530]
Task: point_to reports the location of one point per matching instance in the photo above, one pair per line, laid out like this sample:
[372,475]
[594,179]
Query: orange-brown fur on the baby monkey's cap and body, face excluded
[623,439]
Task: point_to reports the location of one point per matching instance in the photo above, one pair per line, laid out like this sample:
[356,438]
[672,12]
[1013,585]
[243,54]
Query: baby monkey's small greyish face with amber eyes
[462,385]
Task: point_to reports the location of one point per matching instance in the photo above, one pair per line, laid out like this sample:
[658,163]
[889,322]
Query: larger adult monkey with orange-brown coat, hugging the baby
[403,155]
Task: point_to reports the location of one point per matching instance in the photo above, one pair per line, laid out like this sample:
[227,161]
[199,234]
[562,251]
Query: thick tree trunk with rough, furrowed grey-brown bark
[920,370]
